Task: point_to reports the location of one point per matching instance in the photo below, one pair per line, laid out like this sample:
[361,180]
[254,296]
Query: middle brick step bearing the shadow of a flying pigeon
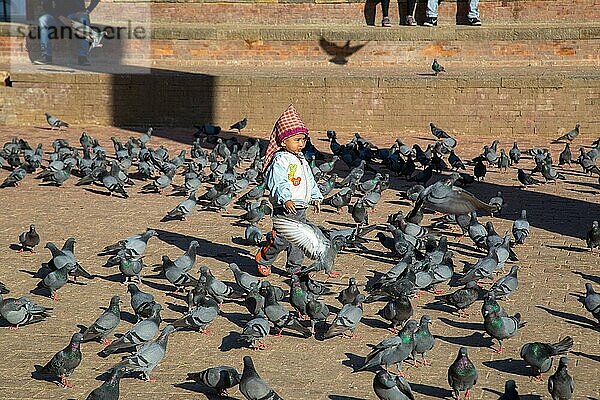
[189,46]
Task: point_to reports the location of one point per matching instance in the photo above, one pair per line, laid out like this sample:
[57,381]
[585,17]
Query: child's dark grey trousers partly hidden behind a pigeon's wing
[278,243]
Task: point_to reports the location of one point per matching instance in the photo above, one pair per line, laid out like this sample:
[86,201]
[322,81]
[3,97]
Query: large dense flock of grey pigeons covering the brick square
[220,174]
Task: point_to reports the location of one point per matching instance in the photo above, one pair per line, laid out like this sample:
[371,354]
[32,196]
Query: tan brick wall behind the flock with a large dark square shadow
[496,105]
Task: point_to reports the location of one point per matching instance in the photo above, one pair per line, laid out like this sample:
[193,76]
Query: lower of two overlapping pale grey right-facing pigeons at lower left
[147,356]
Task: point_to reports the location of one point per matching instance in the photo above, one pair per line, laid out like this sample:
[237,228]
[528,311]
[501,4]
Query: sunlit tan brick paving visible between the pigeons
[553,269]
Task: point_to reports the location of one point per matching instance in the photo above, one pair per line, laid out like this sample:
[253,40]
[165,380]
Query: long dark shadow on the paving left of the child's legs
[218,251]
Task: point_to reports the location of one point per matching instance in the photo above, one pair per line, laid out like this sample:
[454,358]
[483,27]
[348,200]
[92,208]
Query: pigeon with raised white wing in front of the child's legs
[312,242]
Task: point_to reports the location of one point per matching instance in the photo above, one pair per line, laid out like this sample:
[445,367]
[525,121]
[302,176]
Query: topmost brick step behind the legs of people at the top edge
[357,12]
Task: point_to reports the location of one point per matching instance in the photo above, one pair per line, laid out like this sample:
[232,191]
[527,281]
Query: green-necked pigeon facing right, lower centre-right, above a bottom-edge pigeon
[393,350]
